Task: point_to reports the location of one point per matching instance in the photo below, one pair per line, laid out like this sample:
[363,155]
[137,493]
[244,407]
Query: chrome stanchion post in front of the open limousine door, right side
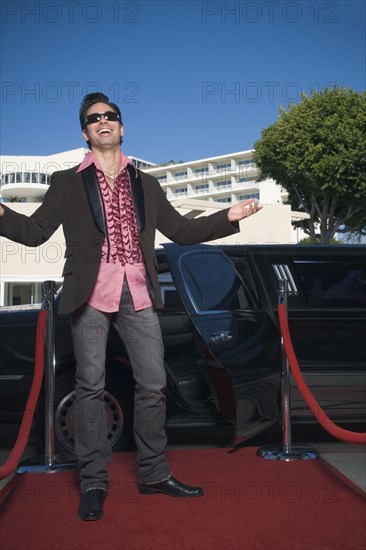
[285,450]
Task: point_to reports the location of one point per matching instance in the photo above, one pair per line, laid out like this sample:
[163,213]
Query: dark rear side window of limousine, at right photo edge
[335,283]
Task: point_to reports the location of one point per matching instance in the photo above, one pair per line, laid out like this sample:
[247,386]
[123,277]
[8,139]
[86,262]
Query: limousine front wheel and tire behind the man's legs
[118,398]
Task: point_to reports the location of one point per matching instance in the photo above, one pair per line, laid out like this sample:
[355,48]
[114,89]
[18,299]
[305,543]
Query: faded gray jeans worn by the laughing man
[141,335]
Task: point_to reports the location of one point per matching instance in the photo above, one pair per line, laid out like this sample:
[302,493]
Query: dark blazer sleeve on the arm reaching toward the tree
[182,230]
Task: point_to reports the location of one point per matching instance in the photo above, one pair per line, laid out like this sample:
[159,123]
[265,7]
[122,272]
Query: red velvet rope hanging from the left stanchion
[22,439]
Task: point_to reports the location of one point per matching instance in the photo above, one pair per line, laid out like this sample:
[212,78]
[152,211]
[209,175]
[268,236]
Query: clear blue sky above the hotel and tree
[193,79]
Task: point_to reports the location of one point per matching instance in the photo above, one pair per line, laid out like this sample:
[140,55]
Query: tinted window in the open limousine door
[212,281]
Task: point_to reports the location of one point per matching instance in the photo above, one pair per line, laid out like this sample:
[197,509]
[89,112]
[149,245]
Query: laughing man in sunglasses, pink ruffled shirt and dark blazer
[109,212]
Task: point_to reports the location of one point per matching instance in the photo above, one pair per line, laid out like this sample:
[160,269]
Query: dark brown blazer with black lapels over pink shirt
[73,200]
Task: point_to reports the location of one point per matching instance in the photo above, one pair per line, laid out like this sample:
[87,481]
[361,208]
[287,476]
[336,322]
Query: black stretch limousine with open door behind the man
[222,344]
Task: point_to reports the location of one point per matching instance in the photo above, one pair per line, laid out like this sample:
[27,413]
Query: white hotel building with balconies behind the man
[195,188]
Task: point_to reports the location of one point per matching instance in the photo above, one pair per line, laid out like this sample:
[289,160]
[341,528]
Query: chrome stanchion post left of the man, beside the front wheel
[49,463]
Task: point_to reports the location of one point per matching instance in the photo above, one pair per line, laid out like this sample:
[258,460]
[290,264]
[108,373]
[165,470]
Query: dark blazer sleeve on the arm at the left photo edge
[35,229]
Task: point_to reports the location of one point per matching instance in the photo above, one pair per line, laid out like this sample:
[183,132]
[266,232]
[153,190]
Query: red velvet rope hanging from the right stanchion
[320,415]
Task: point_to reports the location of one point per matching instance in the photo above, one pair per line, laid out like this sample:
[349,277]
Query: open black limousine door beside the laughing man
[243,360]
